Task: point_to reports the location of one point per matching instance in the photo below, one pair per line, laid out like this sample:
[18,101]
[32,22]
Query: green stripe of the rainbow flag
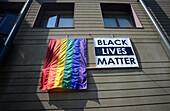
[68,64]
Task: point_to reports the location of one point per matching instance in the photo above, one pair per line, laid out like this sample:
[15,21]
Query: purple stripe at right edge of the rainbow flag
[82,65]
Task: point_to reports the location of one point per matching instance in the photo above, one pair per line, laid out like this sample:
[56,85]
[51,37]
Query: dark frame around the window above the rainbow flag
[57,12]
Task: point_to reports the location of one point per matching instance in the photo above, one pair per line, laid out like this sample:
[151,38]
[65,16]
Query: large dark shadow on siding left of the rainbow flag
[19,77]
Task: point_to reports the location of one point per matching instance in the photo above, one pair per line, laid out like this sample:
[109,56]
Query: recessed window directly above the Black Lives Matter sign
[119,15]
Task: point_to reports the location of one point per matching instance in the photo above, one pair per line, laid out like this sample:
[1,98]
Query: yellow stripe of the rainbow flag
[61,64]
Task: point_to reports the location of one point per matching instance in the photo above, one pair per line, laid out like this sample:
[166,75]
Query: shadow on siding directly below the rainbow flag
[73,99]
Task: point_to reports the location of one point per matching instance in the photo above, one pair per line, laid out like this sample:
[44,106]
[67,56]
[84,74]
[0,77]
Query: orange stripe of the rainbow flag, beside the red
[54,64]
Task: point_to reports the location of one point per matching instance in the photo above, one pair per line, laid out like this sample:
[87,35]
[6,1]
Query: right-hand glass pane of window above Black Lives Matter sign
[124,22]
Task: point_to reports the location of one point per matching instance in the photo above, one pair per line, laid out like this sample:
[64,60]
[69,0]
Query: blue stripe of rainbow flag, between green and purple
[75,65]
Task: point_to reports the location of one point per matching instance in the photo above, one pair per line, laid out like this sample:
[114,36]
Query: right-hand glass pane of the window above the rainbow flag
[66,21]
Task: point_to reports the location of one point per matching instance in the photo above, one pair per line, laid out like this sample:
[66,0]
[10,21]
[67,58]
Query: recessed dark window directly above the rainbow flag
[54,15]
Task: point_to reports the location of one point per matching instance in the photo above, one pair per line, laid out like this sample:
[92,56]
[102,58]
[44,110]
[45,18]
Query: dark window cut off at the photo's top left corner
[8,15]
